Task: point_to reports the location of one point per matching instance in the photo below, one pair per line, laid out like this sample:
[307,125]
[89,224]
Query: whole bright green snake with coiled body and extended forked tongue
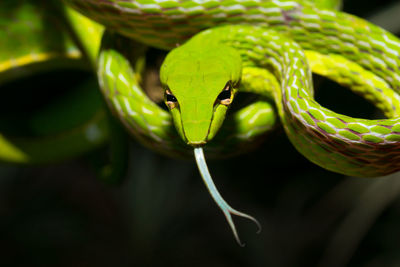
[268,48]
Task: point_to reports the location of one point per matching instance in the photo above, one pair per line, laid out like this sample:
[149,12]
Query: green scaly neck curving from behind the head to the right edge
[356,147]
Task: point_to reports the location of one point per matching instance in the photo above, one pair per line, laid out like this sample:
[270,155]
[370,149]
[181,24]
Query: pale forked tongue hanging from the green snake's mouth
[222,204]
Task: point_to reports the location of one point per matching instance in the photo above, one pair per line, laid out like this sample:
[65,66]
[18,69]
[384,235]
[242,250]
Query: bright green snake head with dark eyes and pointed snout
[200,83]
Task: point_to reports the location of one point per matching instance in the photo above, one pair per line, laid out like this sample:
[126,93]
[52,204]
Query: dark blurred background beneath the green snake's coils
[162,214]
